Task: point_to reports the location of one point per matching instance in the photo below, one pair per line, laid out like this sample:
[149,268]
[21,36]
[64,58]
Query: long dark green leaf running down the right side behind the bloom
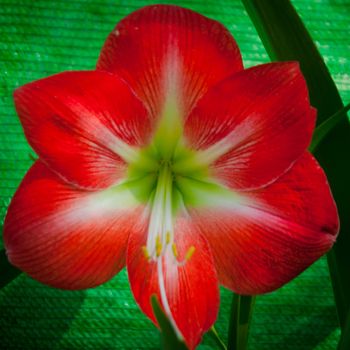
[286,38]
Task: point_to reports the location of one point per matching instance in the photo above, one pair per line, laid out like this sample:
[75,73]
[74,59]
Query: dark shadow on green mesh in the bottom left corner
[33,316]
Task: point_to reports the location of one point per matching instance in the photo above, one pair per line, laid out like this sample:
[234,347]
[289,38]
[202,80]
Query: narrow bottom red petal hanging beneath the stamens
[192,289]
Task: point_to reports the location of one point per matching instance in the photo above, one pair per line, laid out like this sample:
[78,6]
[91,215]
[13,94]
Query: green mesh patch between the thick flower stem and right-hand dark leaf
[301,315]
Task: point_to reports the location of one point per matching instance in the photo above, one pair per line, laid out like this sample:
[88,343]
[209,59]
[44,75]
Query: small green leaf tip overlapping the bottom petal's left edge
[170,340]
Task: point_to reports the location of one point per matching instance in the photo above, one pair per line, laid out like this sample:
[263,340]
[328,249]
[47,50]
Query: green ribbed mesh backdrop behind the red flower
[39,38]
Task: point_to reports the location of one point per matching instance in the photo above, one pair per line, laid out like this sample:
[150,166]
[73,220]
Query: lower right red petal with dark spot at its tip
[280,231]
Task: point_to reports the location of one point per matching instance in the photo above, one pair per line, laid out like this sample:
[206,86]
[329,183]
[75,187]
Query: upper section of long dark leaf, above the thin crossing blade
[286,39]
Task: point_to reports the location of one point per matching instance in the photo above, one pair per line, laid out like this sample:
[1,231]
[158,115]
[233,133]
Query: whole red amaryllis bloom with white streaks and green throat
[174,161]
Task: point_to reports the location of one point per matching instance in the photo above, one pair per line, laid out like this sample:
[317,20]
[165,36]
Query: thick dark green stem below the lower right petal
[241,314]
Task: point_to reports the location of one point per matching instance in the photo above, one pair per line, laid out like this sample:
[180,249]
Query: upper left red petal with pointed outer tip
[75,121]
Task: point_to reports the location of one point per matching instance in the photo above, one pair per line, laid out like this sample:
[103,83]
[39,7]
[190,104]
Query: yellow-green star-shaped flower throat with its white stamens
[169,178]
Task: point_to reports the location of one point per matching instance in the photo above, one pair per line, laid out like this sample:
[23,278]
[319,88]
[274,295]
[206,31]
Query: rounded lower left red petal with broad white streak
[64,237]
